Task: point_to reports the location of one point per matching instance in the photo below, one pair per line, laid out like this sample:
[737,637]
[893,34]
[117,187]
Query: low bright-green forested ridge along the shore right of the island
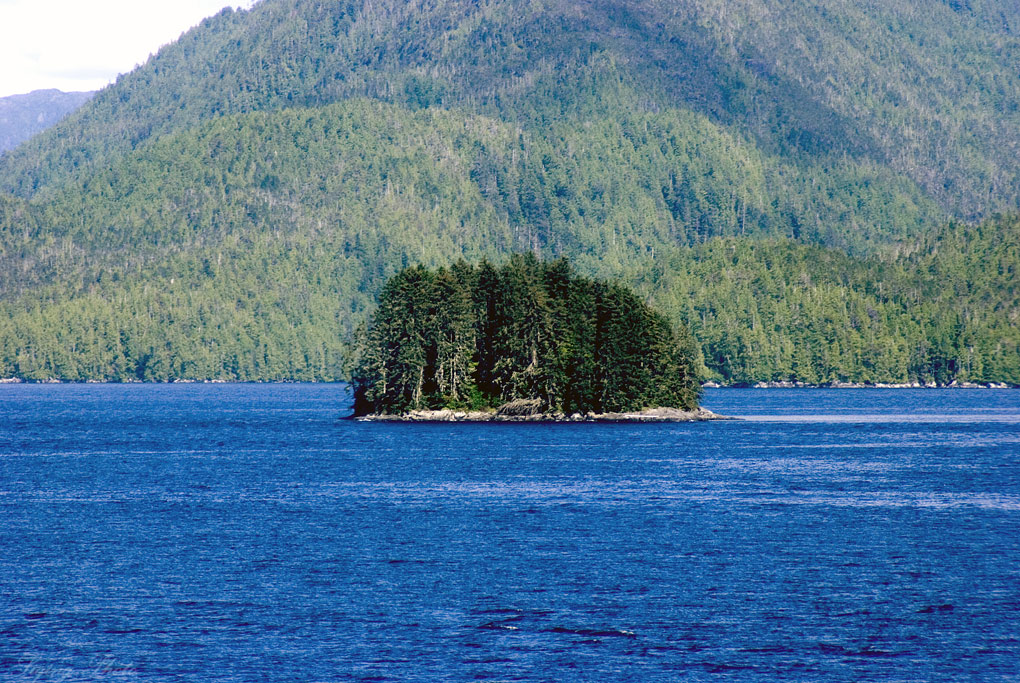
[946,309]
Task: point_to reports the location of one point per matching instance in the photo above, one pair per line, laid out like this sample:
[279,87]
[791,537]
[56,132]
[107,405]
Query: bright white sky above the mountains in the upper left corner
[77,45]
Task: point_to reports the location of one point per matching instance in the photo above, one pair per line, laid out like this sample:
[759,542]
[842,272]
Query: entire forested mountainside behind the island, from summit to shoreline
[796,179]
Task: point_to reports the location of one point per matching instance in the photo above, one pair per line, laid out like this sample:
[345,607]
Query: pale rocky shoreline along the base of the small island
[650,415]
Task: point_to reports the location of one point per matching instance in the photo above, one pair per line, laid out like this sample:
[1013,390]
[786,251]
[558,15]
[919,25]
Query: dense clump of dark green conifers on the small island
[481,337]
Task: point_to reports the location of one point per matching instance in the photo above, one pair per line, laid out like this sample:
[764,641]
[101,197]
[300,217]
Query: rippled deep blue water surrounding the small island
[245,534]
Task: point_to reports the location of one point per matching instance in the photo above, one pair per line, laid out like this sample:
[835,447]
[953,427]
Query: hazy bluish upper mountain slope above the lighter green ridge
[926,92]
